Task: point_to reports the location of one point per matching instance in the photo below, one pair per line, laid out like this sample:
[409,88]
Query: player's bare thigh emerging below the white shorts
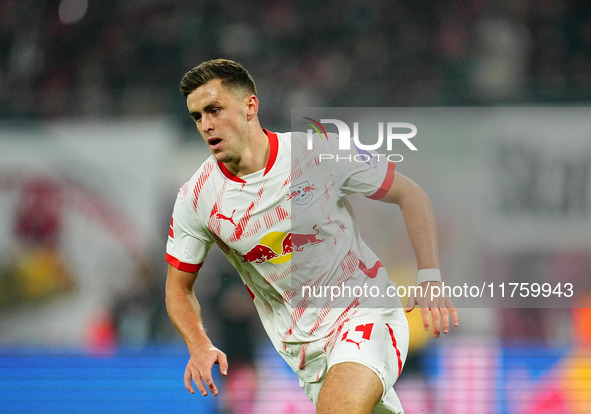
[349,388]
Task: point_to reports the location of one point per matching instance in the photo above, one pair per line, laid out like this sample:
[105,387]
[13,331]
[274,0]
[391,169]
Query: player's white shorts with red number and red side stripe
[381,346]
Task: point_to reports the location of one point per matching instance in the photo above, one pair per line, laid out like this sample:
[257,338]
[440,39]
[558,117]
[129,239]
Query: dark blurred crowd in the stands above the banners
[87,58]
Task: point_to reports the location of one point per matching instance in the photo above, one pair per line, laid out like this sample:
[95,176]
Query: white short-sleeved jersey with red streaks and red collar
[286,228]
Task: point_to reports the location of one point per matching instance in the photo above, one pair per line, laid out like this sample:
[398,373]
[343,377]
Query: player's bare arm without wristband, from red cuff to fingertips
[185,313]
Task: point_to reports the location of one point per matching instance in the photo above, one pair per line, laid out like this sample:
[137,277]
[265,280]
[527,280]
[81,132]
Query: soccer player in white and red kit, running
[282,219]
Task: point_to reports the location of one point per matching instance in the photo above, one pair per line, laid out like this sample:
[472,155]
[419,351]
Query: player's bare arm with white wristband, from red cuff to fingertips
[419,219]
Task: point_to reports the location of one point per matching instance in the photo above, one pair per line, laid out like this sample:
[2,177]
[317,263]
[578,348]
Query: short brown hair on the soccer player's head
[232,74]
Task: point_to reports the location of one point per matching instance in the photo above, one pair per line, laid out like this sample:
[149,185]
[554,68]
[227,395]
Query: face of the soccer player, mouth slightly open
[221,116]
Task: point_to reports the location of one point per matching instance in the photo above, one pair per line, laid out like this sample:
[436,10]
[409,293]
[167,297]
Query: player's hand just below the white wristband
[433,301]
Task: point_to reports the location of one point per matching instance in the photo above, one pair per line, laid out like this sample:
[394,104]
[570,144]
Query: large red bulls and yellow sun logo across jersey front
[277,247]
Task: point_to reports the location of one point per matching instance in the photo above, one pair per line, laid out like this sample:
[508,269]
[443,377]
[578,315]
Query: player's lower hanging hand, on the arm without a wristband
[199,369]
